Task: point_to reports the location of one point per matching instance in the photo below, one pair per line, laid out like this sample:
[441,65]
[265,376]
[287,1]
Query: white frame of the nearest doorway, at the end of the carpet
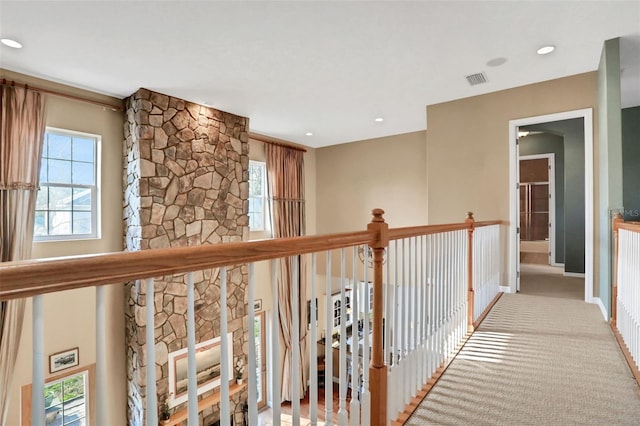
[514,194]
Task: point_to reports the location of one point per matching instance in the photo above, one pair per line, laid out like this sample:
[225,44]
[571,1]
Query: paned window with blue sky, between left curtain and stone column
[66,207]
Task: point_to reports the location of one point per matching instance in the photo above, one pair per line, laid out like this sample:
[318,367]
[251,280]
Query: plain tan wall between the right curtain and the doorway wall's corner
[355,178]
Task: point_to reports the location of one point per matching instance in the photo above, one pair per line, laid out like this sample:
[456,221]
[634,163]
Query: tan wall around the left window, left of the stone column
[70,315]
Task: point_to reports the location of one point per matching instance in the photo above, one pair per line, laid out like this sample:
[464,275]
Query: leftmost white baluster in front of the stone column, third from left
[152,397]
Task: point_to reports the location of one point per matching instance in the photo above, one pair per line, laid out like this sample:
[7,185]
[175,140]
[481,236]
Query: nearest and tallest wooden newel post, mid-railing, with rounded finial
[377,369]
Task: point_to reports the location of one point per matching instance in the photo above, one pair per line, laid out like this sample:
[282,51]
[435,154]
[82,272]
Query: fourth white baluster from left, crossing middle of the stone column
[192,380]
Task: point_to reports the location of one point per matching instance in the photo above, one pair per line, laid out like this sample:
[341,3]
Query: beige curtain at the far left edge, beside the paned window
[22,124]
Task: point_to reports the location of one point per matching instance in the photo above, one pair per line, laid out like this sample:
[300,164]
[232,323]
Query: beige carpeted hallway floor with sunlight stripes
[539,358]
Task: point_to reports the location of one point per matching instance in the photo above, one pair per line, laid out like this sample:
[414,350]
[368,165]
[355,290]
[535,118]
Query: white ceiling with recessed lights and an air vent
[329,68]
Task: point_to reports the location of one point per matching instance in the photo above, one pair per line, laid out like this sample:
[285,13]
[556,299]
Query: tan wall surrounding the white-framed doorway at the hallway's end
[468,145]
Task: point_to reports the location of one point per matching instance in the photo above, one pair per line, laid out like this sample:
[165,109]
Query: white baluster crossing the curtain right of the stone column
[295,341]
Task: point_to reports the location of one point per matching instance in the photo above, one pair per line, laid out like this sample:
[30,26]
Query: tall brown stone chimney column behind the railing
[186,184]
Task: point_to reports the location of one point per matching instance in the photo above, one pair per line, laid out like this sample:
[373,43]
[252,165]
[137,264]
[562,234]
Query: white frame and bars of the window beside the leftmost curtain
[95,189]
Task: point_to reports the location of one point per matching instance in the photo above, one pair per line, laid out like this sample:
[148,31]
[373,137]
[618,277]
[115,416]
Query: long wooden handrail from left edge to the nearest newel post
[40,276]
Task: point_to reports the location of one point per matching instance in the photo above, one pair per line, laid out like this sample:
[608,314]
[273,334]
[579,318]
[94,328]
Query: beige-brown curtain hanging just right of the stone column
[285,176]
